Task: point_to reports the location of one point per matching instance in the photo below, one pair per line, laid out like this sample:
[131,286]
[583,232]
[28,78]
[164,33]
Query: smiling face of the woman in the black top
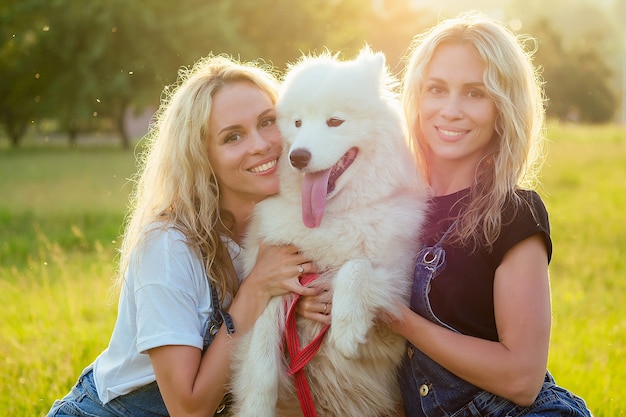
[457,116]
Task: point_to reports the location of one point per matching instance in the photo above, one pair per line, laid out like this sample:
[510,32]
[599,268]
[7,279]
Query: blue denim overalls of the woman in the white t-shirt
[146,401]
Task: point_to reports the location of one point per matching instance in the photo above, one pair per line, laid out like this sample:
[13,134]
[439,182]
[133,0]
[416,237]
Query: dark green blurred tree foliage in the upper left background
[95,60]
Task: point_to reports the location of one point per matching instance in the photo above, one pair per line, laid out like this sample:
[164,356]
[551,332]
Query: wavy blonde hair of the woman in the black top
[515,155]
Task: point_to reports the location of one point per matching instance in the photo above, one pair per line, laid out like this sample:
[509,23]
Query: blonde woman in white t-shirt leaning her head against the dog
[211,156]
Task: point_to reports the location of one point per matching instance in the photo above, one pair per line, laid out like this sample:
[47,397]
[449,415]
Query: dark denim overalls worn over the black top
[429,390]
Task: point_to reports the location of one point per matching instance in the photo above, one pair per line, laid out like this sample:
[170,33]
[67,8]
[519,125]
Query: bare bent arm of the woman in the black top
[515,366]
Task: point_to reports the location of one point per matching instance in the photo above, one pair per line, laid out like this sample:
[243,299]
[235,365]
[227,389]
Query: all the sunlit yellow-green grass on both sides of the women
[60,216]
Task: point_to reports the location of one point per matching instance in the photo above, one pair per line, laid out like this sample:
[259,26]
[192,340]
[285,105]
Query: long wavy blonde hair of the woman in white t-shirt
[175,183]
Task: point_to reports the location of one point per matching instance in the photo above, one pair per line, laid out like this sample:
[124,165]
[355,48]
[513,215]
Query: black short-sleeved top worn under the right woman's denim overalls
[462,295]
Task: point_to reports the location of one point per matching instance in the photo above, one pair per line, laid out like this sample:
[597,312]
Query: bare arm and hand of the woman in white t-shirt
[192,384]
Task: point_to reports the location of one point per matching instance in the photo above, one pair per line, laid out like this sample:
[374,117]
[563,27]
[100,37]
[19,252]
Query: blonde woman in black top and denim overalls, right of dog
[479,322]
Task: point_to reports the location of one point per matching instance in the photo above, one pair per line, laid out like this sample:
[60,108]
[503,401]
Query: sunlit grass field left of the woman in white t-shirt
[60,216]
